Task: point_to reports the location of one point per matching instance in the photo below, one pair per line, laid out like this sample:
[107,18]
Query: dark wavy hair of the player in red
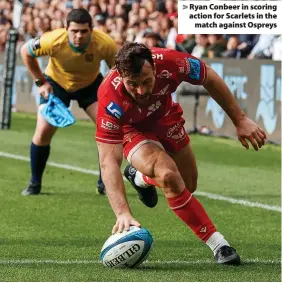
[131,57]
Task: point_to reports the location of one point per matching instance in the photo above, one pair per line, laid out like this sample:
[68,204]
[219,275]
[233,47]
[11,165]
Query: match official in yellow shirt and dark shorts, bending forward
[72,73]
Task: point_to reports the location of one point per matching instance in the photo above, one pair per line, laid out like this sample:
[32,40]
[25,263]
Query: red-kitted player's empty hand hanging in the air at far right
[249,130]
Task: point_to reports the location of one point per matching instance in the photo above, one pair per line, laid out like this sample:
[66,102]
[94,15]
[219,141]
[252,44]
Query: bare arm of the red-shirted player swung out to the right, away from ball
[246,129]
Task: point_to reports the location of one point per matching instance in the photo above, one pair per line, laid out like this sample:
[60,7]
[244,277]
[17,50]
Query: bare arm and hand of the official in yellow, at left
[35,71]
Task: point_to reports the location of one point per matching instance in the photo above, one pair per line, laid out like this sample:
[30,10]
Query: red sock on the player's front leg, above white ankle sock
[191,212]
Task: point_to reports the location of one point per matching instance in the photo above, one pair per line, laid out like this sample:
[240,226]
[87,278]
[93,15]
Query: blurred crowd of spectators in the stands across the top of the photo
[152,22]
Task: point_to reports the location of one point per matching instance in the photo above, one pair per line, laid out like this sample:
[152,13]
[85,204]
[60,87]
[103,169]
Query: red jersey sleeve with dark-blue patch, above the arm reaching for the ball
[109,115]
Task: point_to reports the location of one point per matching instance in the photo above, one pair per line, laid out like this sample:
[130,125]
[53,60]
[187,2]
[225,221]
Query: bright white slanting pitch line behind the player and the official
[204,194]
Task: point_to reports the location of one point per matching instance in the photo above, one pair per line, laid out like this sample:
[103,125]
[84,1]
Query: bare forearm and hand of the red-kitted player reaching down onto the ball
[110,156]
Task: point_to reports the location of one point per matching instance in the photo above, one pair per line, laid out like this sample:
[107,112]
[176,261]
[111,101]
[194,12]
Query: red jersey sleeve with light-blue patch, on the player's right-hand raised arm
[189,68]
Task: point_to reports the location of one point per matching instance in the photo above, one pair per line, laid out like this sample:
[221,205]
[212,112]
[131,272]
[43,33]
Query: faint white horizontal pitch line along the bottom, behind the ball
[153,262]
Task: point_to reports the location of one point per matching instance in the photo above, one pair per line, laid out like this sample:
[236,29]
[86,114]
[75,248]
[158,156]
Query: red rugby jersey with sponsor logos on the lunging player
[116,108]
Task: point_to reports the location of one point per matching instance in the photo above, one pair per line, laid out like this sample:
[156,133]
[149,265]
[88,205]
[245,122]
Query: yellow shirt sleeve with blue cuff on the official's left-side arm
[41,46]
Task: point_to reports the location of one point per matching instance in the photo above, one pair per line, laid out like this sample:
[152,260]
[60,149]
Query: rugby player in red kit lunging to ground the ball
[137,118]
